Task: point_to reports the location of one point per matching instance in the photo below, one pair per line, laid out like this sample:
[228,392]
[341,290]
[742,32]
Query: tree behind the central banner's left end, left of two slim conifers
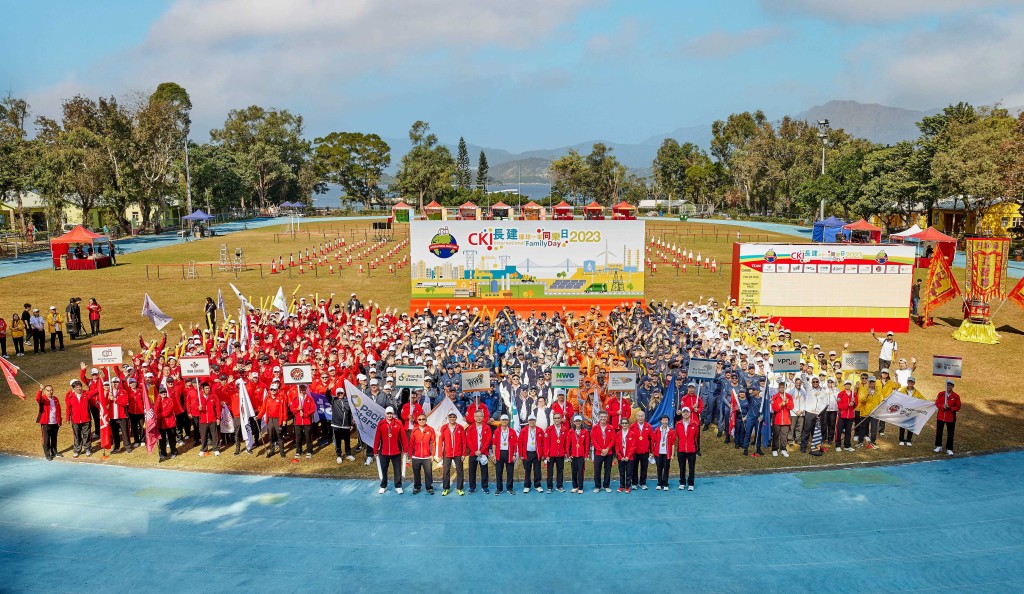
[428,169]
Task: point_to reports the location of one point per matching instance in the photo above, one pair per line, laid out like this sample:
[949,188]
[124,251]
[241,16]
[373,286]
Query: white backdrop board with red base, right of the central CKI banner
[827,287]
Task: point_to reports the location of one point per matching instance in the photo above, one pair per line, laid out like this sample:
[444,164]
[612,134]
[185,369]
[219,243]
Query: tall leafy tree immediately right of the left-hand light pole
[268,148]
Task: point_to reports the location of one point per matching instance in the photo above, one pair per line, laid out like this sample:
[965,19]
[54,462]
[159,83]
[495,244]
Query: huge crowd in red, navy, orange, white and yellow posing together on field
[520,421]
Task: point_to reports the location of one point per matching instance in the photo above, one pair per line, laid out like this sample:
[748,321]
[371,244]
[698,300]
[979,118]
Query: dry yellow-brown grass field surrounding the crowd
[990,419]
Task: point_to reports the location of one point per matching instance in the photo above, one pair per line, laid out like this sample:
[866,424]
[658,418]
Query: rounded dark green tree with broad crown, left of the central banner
[356,162]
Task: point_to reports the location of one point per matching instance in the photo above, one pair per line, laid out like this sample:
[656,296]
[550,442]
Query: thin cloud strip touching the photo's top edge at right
[863,12]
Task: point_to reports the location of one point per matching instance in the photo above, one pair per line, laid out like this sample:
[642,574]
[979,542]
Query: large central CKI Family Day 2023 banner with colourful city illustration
[539,261]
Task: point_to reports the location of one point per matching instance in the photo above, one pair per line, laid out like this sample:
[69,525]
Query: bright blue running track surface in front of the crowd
[951,526]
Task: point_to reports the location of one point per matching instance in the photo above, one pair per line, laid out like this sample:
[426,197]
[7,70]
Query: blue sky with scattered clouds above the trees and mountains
[517,74]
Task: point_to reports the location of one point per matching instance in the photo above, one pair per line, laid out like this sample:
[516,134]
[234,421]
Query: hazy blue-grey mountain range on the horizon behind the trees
[878,123]
